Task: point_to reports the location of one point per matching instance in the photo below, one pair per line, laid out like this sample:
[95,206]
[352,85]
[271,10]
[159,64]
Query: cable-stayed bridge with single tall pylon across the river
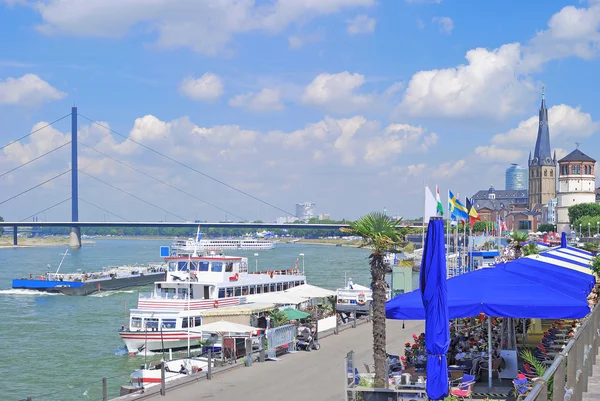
[75,224]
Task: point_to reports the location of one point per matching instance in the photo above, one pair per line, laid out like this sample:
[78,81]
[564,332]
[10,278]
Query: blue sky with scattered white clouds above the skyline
[257,105]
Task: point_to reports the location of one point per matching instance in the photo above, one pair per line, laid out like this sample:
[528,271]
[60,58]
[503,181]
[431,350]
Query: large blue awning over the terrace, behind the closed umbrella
[534,287]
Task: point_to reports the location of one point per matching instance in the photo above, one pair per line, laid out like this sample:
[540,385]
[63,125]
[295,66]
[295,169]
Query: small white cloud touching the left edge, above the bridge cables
[28,90]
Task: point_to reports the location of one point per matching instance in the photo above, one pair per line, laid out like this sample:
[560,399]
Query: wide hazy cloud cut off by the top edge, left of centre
[204,26]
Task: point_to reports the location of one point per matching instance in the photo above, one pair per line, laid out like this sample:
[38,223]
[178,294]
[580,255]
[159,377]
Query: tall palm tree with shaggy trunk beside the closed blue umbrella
[382,235]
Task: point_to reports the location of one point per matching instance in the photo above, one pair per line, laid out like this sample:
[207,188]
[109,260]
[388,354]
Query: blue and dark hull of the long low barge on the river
[87,287]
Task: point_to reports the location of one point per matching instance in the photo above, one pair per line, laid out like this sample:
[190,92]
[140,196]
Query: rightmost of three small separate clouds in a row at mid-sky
[336,92]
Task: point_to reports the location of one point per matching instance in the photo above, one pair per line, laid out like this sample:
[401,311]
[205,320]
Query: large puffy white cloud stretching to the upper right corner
[496,83]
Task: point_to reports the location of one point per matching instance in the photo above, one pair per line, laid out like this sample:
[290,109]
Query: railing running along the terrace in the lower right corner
[573,366]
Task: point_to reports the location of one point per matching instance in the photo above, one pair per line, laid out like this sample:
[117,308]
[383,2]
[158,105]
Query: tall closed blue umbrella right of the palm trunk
[435,301]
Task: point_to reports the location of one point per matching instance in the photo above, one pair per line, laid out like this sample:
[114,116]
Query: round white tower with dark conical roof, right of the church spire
[576,184]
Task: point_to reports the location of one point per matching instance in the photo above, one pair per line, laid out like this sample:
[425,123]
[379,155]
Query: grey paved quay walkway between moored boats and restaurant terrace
[317,375]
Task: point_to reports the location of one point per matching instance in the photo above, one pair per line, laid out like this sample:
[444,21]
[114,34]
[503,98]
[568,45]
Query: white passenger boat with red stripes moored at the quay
[195,283]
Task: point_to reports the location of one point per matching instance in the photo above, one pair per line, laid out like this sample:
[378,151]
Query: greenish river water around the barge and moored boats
[57,347]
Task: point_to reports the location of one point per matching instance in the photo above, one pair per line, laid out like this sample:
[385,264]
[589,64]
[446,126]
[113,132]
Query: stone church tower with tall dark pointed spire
[542,166]
